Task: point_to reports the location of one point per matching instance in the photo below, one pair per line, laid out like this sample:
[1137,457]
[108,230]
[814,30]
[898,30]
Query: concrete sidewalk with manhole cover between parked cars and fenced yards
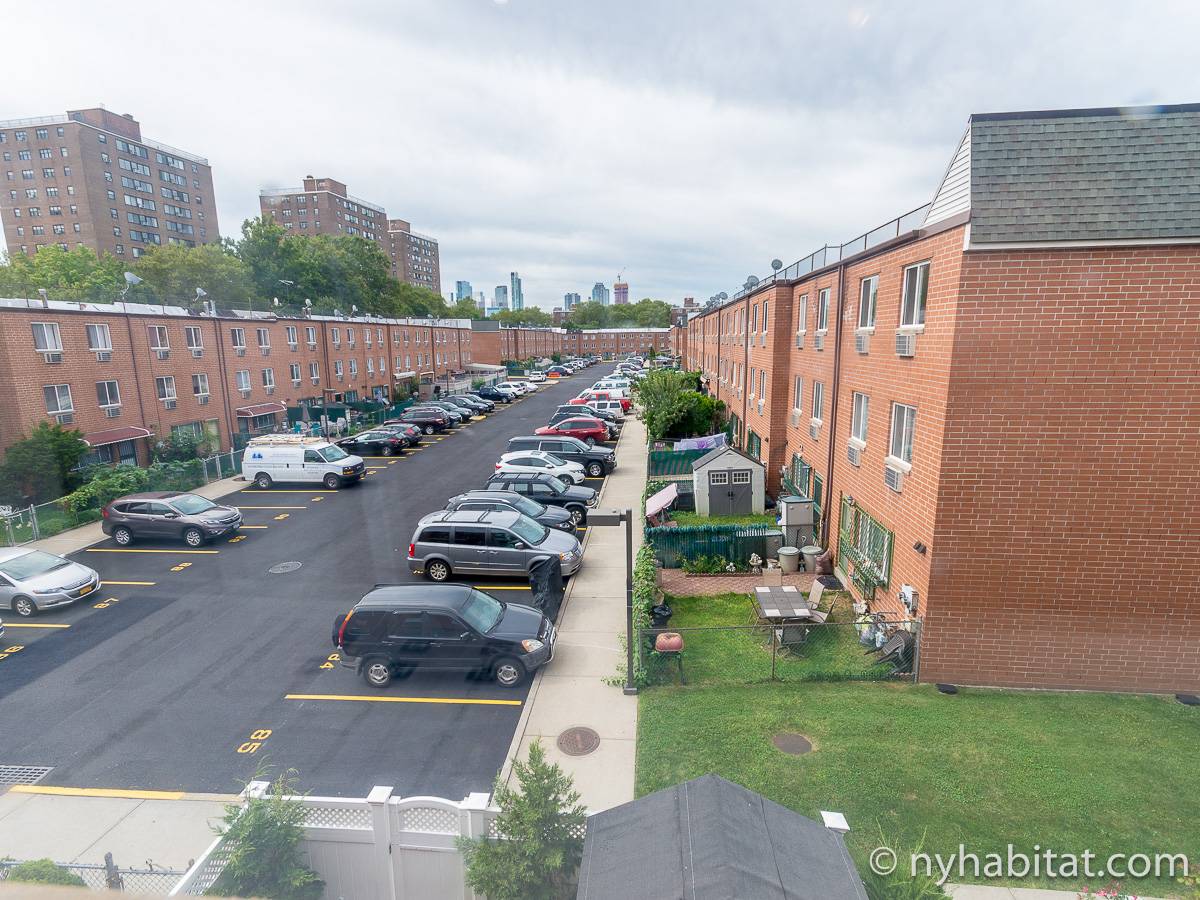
[572,691]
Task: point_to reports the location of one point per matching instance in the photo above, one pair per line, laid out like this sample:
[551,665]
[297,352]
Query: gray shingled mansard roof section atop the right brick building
[1078,176]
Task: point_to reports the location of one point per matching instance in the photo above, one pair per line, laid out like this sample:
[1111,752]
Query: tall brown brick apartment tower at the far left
[89,179]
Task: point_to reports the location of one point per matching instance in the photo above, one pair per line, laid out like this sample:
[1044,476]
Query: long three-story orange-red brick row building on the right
[993,403]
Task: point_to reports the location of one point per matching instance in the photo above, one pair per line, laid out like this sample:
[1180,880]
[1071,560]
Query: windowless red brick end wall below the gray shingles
[1067,538]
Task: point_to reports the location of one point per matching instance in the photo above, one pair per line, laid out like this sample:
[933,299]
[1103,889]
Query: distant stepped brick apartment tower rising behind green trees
[325,206]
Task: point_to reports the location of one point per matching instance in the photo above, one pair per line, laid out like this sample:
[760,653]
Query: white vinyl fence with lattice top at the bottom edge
[381,848]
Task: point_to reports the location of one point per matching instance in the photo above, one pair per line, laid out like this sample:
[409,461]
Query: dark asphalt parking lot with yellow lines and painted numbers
[189,669]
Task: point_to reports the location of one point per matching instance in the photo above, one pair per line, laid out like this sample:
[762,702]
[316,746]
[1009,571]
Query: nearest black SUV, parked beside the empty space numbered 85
[398,628]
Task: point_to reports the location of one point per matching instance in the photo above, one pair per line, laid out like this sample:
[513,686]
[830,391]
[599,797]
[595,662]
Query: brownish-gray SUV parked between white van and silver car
[171,515]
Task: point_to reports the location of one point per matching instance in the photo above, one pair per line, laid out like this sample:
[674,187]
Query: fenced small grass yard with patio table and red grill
[743,656]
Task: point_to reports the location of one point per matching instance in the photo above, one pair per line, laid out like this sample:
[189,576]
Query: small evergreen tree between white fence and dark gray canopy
[542,825]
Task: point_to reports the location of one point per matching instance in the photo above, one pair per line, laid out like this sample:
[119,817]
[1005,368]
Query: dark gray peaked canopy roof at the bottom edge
[711,839]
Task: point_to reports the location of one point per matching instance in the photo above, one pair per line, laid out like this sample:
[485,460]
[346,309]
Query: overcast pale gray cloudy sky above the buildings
[682,143]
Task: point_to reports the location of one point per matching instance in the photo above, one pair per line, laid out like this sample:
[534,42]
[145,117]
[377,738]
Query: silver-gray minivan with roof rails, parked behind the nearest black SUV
[449,543]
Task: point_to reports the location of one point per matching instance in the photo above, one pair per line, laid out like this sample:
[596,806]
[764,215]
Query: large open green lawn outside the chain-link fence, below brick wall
[1073,772]
